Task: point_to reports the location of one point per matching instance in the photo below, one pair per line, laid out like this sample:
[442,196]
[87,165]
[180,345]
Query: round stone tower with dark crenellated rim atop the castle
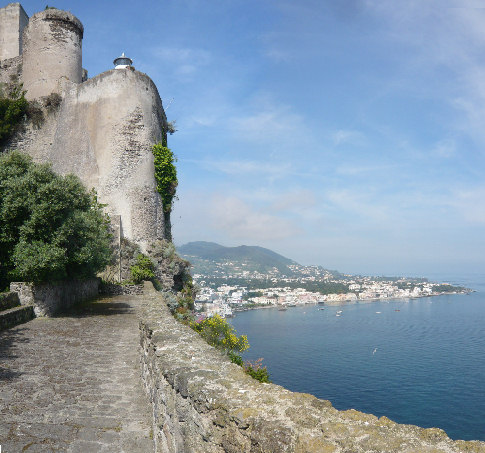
[52,52]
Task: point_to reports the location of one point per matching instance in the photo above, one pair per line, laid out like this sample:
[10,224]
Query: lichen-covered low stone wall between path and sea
[203,403]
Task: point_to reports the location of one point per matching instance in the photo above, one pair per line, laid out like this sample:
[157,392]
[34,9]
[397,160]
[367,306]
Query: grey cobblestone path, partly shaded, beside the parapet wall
[72,383]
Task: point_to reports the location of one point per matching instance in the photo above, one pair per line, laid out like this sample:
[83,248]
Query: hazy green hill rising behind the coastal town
[207,257]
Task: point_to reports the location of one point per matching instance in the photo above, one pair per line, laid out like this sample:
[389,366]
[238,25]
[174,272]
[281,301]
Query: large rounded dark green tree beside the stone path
[51,227]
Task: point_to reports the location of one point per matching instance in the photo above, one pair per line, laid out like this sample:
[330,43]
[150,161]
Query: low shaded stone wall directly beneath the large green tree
[51,298]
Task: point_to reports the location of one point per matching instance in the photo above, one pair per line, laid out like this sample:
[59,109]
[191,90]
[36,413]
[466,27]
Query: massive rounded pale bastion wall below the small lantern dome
[103,132]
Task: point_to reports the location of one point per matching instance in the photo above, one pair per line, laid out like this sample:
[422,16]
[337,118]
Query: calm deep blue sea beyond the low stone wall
[418,361]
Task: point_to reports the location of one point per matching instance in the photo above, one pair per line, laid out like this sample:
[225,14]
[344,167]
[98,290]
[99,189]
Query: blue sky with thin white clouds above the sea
[348,134]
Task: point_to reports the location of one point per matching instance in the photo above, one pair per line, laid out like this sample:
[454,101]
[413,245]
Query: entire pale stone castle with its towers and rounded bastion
[101,129]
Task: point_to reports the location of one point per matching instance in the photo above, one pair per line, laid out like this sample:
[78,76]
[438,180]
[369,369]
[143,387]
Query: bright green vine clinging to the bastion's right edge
[165,174]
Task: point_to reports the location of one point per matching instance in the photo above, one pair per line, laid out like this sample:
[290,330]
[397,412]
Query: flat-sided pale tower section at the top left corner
[13,20]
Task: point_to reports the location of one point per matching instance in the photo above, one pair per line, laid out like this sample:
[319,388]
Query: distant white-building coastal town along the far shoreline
[231,287]
